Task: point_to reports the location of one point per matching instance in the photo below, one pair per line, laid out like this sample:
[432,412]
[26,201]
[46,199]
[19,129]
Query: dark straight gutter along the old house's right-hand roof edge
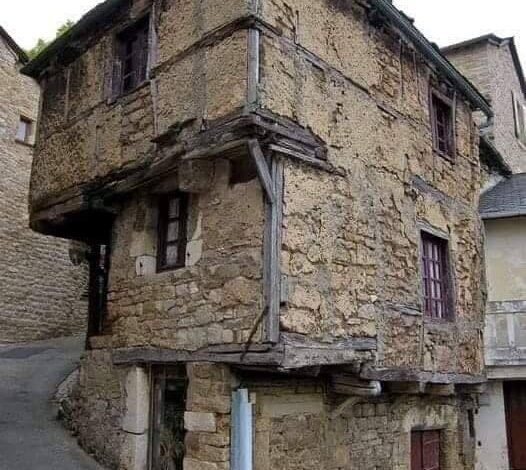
[433,54]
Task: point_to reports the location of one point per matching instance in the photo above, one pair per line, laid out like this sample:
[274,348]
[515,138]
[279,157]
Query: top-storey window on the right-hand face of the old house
[442,125]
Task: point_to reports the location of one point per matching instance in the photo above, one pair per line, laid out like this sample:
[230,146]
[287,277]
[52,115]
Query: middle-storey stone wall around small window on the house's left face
[217,297]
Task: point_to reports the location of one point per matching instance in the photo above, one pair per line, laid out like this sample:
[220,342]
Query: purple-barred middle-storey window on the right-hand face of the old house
[435,277]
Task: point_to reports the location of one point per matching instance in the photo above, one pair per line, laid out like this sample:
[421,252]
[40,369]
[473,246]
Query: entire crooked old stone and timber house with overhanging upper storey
[286,252]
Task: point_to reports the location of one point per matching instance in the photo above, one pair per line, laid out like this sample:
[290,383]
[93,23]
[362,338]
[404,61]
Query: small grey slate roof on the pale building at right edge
[506,199]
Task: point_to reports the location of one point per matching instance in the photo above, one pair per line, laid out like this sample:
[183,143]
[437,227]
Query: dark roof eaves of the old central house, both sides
[102,15]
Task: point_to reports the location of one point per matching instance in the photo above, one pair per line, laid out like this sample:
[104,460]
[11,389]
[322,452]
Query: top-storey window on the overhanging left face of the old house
[132,57]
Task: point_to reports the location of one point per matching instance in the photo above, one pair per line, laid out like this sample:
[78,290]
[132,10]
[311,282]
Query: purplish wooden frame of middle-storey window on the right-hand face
[446,284]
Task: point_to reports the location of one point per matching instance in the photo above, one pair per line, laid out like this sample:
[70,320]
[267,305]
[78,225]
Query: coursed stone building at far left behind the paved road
[40,288]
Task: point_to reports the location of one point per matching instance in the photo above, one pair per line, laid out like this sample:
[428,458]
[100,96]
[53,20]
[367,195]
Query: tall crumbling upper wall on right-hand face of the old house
[351,236]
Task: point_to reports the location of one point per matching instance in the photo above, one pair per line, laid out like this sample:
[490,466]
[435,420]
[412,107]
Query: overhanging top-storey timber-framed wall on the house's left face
[198,74]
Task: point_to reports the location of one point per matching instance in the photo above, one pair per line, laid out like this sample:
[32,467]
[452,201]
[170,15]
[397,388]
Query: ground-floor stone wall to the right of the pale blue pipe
[299,426]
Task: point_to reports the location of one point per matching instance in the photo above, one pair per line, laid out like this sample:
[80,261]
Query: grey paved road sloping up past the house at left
[30,436]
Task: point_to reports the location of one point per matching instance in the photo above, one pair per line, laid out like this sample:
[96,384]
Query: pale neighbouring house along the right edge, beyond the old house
[493,65]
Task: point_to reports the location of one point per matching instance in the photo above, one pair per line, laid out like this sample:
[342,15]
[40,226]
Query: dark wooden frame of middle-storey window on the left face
[164,220]
